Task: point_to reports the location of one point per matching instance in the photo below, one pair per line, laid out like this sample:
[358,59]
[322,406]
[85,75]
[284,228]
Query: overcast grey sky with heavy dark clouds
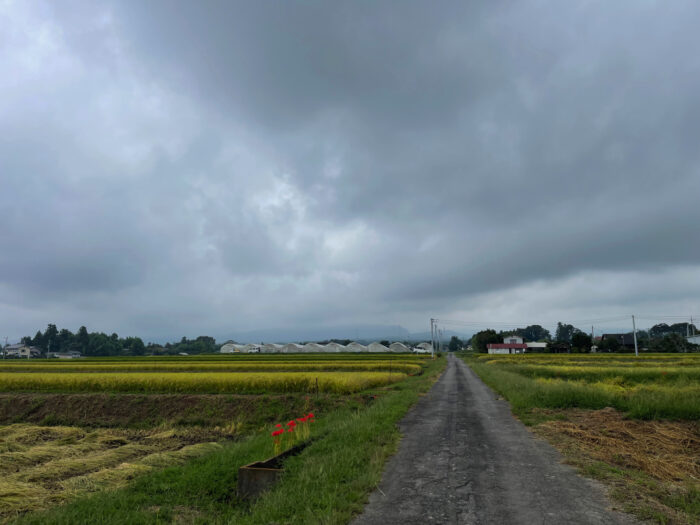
[187,168]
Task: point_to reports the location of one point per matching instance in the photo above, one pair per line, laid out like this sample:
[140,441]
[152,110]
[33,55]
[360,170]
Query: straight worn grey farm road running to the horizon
[465,459]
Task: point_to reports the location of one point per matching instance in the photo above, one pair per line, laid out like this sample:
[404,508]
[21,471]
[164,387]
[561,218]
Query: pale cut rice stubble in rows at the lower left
[43,466]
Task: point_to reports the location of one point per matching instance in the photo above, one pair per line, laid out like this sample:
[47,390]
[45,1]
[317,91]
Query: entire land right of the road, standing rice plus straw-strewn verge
[630,422]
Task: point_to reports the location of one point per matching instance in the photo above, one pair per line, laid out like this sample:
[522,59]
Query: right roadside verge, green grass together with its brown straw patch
[650,464]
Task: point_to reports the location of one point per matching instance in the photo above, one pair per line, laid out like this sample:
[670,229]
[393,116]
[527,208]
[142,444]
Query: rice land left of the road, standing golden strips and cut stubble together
[71,430]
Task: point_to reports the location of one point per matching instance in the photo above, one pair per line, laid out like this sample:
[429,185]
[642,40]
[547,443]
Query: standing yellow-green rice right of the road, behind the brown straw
[648,392]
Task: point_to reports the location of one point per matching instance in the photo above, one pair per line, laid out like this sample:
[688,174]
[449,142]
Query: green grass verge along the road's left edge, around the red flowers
[327,483]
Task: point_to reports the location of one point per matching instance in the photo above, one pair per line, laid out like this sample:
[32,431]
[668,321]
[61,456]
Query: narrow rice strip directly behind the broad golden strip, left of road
[198,366]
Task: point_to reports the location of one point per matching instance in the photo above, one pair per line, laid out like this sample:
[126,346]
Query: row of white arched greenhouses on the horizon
[316,348]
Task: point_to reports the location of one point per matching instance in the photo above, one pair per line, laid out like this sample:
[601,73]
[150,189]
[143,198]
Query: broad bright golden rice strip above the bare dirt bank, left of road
[203,382]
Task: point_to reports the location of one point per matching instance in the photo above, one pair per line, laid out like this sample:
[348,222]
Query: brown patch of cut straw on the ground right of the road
[652,467]
